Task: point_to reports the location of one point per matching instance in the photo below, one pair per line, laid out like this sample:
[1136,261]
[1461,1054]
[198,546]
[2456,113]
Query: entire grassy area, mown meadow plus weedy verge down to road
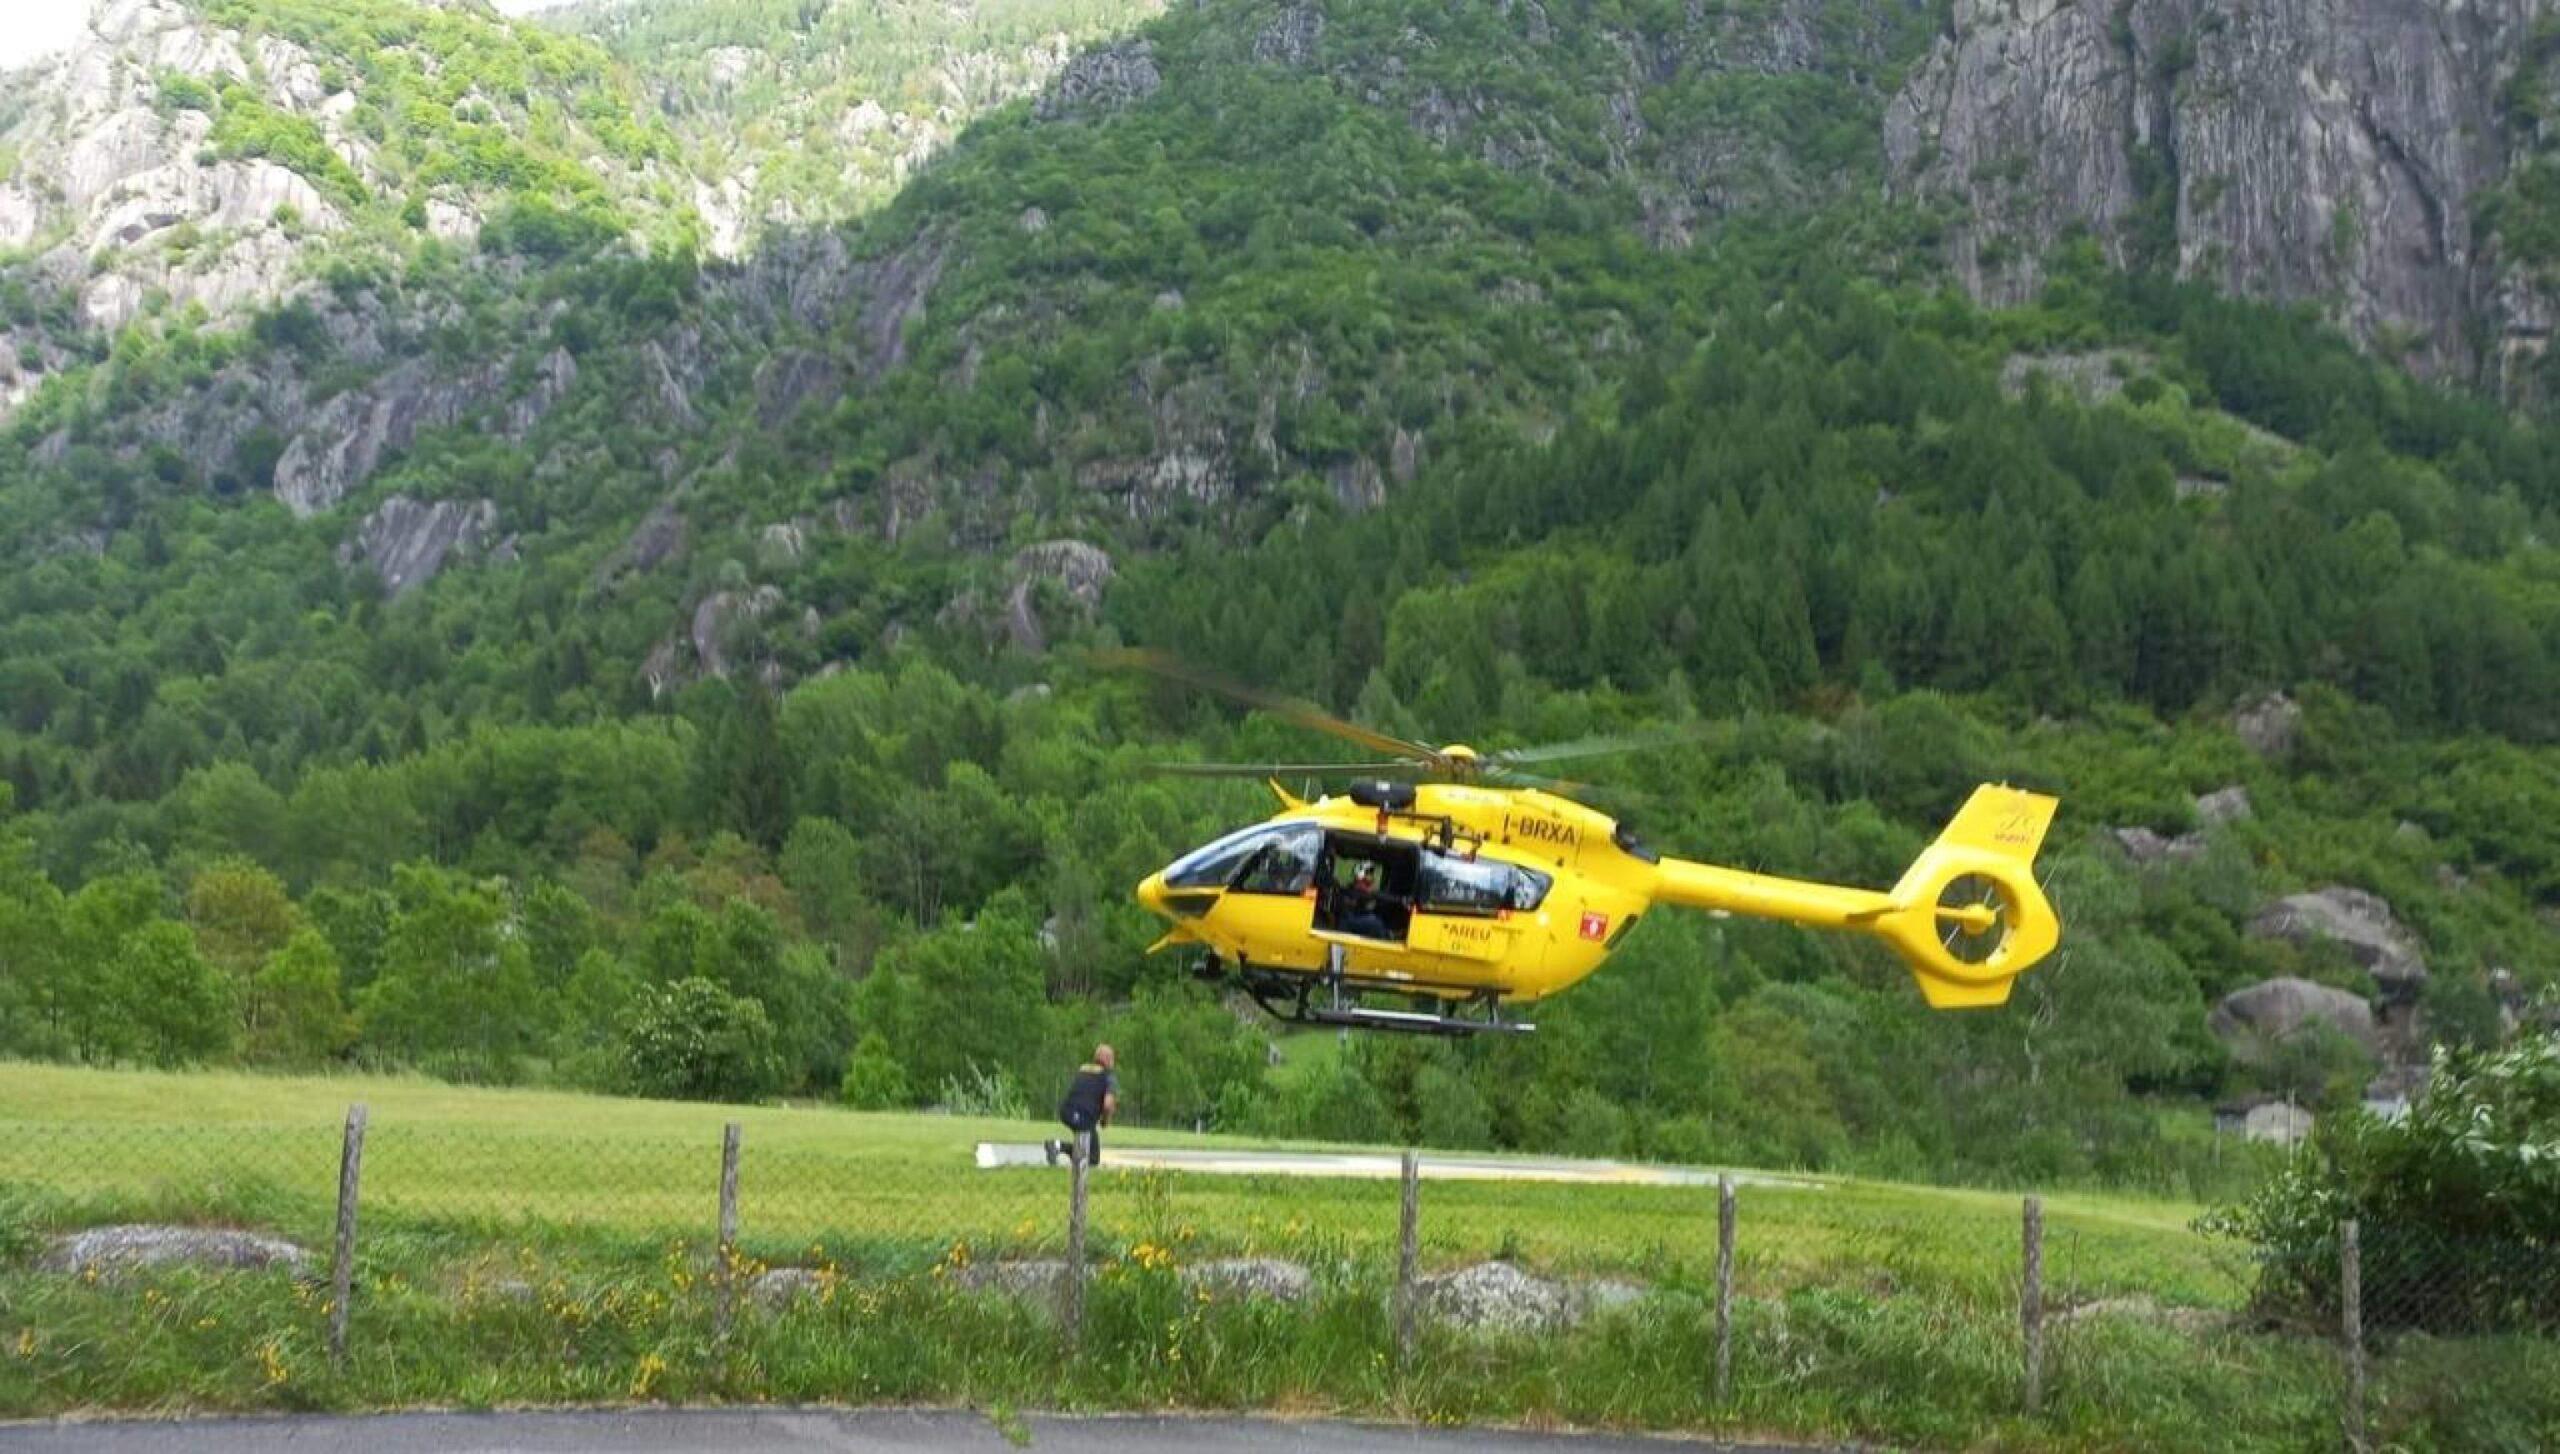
[547,1248]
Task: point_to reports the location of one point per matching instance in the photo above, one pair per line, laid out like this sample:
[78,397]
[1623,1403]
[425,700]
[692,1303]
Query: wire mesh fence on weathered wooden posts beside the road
[2029,1302]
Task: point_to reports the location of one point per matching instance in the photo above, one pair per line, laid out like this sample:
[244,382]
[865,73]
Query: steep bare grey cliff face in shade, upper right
[2328,152]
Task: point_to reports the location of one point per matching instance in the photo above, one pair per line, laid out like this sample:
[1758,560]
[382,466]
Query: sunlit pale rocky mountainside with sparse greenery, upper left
[183,163]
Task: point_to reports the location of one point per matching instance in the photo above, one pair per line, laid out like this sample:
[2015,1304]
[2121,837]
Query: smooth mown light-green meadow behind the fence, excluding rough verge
[442,1153]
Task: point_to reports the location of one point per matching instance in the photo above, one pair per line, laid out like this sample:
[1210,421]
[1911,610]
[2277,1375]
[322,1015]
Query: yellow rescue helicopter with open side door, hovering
[1471,884]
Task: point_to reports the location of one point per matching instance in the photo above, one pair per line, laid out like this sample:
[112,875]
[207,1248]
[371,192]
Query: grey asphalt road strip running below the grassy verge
[803,1432]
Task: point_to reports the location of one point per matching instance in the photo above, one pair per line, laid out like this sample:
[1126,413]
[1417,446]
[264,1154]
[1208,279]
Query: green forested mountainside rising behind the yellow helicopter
[567,654]
